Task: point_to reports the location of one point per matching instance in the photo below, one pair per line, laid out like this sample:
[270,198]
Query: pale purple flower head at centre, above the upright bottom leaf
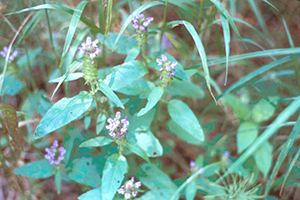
[117,127]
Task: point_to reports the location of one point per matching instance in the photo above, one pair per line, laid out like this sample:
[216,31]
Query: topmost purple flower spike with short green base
[140,24]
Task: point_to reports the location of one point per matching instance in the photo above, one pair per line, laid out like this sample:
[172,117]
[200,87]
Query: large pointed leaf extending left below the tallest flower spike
[63,112]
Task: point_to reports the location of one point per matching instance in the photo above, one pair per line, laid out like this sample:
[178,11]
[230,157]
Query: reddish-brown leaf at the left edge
[10,128]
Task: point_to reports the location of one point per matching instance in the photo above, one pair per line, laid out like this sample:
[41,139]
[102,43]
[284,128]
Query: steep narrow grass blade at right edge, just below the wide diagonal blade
[283,153]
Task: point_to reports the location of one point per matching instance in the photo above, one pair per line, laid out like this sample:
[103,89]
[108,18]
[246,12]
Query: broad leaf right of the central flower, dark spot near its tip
[148,142]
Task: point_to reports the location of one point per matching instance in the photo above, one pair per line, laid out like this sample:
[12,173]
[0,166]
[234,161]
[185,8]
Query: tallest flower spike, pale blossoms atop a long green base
[90,51]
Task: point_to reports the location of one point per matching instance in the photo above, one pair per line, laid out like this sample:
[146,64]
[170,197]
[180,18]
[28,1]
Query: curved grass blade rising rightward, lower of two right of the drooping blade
[255,73]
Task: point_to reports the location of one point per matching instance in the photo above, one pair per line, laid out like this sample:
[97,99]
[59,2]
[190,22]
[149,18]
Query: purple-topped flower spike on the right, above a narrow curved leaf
[167,70]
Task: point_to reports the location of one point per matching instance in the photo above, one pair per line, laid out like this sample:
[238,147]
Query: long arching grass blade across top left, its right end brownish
[85,20]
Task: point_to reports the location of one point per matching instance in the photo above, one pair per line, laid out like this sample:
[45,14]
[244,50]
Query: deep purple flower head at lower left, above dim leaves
[54,154]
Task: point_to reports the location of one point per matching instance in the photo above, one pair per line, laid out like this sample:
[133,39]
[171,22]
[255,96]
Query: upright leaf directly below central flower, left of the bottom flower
[113,174]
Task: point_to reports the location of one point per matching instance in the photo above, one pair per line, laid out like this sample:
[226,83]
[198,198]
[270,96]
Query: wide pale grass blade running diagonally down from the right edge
[269,132]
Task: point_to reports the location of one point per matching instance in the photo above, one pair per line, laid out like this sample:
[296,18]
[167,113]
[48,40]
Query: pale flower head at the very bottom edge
[129,189]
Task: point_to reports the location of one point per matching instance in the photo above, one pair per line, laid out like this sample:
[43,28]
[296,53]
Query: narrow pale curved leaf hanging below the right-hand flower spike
[153,98]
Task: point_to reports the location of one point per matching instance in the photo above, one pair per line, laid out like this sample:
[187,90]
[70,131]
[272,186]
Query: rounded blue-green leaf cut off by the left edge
[11,85]
